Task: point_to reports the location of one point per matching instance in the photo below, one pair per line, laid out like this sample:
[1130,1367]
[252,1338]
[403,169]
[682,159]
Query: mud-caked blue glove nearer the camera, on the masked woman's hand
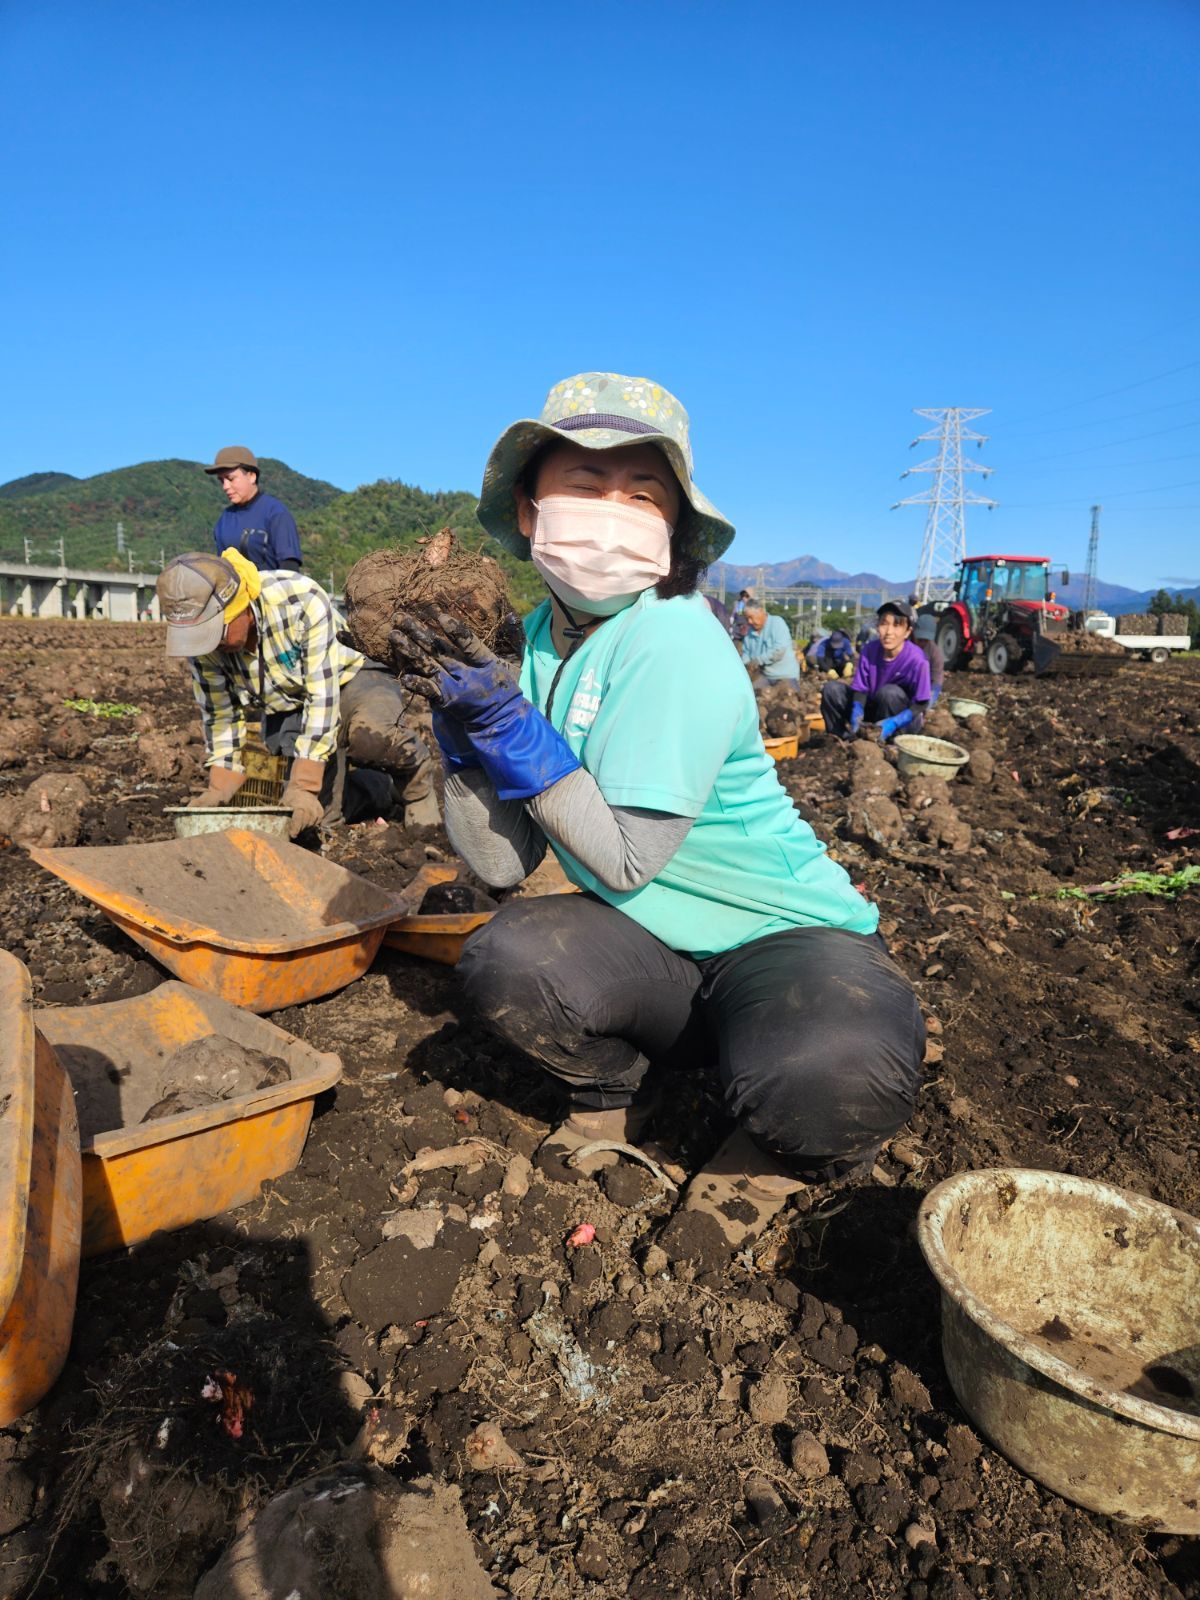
[518,748]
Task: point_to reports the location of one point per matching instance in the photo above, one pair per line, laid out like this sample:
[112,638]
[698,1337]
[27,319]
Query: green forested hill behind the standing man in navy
[170,506]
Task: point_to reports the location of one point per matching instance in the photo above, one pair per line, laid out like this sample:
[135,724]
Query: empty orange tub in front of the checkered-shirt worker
[255,921]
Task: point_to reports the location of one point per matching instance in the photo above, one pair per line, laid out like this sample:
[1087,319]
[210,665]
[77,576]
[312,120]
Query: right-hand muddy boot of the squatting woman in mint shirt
[729,1204]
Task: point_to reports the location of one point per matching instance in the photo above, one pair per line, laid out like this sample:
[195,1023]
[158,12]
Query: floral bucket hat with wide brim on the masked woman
[599,412]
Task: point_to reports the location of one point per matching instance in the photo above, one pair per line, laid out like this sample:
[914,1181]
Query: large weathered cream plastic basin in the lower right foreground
[1071,1335]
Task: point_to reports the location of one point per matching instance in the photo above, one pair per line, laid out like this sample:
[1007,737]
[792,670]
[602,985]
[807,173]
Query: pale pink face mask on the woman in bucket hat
[598,554]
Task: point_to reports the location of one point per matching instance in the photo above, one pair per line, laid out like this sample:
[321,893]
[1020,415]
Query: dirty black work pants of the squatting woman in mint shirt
[815,1033]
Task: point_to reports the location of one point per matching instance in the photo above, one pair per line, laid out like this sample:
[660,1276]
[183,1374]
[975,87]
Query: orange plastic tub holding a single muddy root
[175,1170]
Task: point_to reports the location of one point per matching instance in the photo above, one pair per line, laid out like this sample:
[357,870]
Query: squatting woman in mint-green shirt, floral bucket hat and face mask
[713,930]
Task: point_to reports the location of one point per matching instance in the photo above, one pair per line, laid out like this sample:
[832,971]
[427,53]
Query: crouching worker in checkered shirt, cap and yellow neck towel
[266,662]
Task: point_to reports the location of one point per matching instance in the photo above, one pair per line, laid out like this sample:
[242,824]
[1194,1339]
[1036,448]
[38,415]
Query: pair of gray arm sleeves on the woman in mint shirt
[503,841]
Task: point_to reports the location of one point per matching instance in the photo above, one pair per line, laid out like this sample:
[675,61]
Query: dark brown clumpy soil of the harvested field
[780,1426]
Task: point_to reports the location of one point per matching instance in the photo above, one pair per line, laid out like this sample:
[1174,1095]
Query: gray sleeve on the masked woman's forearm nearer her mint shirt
[623,846]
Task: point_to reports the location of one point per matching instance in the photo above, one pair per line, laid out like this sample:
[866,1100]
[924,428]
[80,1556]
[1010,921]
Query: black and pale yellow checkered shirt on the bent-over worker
[303,666]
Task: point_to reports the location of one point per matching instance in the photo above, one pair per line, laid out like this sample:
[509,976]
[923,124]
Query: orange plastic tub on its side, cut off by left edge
[39,1202]
